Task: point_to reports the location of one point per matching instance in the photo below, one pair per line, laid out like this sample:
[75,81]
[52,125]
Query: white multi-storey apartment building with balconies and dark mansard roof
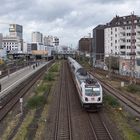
[118,40]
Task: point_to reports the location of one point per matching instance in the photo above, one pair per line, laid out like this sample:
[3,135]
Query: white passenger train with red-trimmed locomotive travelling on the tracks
[89,89]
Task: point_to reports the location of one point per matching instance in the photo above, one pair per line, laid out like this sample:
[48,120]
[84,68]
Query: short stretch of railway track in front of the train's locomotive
[98,127]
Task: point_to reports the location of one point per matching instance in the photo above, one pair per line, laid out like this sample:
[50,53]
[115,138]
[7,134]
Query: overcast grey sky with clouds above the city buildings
[67,19]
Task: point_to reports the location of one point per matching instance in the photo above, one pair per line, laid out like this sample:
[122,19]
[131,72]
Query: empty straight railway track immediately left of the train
[63,118]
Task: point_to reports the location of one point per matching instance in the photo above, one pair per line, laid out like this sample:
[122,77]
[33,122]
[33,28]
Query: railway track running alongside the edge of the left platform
[8,102]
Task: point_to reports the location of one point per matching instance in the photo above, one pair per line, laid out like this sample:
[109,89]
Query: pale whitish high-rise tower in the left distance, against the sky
[37,37]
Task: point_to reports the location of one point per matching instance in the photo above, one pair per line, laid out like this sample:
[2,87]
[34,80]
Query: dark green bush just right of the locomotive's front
[109,100]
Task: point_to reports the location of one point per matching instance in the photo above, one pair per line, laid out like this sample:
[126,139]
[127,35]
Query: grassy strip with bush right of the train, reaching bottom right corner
[121,118]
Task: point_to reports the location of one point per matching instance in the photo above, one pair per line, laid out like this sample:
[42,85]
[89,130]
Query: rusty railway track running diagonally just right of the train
[133,104]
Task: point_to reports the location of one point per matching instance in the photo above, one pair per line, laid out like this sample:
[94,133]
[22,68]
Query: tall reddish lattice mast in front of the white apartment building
[133,47]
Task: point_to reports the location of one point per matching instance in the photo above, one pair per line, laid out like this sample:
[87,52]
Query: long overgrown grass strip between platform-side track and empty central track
[37,101]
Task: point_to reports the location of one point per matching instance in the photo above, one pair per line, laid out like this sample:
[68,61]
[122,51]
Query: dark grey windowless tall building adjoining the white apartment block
[98,44]
